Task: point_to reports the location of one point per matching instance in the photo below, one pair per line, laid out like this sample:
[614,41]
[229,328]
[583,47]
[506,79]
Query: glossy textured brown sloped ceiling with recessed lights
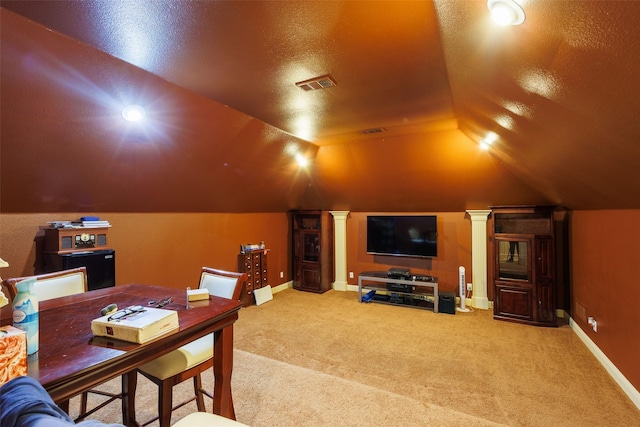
[224,116]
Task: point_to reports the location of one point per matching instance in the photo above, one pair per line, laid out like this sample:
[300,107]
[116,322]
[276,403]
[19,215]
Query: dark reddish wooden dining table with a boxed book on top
[70,360]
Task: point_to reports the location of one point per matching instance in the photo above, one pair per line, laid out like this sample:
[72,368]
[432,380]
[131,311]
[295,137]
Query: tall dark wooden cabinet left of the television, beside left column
[312,250]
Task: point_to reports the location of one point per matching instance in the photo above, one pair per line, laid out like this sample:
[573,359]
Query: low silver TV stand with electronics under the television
[419,294]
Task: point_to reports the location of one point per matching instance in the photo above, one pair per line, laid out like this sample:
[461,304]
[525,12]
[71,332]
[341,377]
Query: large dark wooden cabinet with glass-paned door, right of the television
[524,260]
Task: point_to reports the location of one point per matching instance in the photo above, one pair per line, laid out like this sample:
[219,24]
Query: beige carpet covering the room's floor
[326,360]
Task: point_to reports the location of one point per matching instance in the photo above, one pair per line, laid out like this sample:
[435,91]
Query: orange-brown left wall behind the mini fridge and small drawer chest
[160,249]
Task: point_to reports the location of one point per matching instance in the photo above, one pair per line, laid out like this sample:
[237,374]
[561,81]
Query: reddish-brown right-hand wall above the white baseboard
[605,271]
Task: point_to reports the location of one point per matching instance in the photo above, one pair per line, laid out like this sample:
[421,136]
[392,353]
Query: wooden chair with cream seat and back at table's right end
[190,360]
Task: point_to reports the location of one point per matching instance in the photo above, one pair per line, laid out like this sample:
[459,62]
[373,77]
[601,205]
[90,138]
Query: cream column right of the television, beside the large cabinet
[479,257]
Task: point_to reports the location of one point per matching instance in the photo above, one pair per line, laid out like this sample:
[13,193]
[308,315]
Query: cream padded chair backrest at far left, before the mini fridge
[54,285]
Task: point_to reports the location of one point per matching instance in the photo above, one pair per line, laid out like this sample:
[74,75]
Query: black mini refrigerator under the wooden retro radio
[101,266]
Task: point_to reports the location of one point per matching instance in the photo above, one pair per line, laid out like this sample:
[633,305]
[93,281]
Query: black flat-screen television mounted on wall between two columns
[402,235]
